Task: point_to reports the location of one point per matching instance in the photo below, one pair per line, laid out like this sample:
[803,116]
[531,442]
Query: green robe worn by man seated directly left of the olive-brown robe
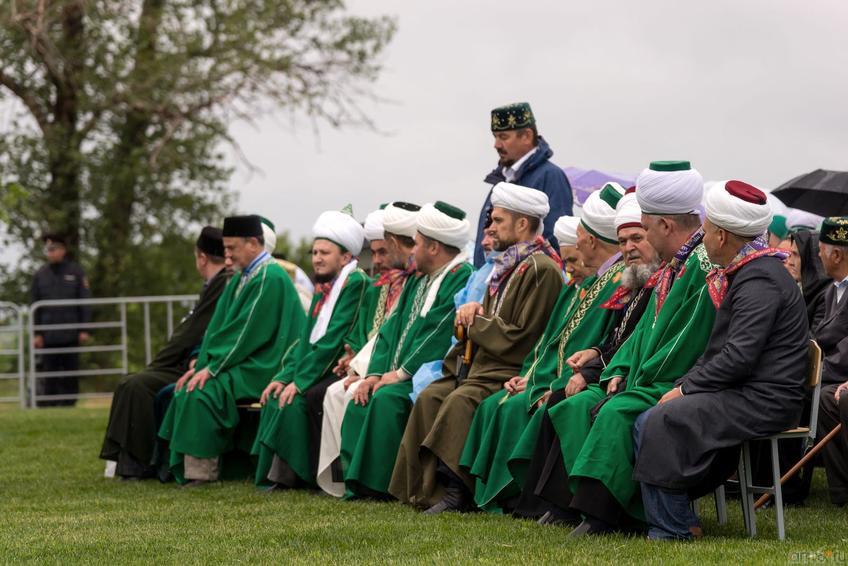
[372,433]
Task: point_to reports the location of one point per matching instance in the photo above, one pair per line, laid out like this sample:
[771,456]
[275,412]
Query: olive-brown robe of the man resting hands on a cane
[441,417]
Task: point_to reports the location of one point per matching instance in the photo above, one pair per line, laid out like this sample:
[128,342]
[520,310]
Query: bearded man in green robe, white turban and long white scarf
[289,432]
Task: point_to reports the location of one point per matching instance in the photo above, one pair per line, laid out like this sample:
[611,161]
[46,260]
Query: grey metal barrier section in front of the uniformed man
[35,373]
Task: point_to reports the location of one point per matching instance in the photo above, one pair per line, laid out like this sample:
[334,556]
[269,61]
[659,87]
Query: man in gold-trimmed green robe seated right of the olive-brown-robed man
[576,323]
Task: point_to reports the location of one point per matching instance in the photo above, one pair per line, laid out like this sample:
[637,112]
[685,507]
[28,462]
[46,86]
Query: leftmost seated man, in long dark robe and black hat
[131,432]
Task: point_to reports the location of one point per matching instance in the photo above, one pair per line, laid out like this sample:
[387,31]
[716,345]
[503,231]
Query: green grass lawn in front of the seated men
[55,506]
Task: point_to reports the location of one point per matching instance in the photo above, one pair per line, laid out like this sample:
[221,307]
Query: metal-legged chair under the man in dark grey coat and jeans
[746,489]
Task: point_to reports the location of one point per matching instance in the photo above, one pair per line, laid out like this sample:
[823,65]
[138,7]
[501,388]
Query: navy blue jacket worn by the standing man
[537,173]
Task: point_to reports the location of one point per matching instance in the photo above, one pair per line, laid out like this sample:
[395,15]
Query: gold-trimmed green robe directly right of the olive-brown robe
[500,424]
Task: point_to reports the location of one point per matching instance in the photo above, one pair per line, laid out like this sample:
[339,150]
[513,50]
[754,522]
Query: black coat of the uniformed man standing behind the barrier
[63,280]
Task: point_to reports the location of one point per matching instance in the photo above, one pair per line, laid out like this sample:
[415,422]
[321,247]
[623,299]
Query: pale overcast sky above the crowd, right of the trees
[755,90]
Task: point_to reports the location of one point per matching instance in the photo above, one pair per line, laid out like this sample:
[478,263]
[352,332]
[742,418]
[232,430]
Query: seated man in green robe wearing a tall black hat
[257,319]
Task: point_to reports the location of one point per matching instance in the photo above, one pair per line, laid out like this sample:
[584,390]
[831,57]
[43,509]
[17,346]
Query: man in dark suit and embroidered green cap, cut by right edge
[832,336]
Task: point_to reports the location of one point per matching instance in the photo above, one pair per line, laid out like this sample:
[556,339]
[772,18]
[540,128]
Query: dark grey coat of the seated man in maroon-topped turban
[748,383]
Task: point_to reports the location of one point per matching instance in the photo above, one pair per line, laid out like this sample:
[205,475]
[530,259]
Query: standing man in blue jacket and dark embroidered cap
[524,159]
